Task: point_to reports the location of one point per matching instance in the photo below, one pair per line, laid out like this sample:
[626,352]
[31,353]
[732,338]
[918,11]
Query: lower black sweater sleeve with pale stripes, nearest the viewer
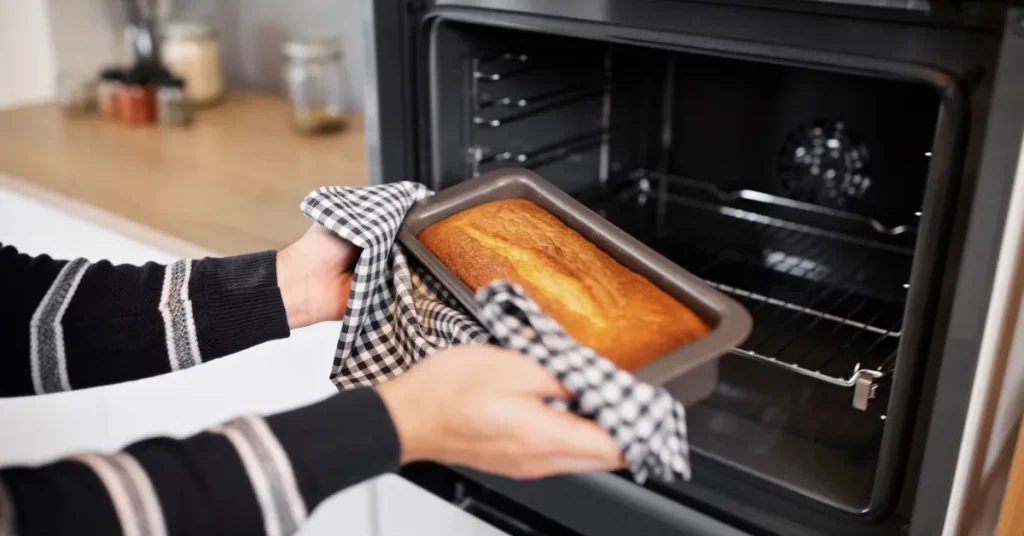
[250,476]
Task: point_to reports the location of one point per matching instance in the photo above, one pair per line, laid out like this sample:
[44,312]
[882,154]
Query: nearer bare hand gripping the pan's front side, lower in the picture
[484,407]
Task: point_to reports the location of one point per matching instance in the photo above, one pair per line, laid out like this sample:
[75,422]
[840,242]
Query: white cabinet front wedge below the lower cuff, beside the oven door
[406,510]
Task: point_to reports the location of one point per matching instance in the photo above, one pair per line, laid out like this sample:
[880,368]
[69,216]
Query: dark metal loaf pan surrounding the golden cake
[692,369]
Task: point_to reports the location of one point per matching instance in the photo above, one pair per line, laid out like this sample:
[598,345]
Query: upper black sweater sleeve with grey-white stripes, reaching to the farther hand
[69,325]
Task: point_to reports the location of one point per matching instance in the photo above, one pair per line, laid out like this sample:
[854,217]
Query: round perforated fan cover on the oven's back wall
[823,162]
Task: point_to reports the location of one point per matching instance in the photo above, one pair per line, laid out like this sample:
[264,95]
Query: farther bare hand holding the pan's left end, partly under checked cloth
[315,274]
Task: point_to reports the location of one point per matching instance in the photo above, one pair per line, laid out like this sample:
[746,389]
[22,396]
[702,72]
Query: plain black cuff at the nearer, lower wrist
[338,442]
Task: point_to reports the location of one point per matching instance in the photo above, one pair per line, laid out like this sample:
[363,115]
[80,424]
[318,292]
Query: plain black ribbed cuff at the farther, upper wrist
[237,303]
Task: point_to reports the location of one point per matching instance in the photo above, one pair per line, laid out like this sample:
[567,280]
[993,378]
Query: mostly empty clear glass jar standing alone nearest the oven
[314,81]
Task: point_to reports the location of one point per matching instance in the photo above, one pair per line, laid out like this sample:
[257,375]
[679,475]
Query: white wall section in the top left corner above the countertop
[28,63]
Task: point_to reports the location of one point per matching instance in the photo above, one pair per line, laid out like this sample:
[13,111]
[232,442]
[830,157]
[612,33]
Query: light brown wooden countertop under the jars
[230,184]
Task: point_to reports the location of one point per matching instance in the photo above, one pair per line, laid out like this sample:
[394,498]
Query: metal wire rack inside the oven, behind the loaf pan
[827,290]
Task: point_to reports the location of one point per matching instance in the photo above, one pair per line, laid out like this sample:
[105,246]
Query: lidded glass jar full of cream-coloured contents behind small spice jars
[192,53]
